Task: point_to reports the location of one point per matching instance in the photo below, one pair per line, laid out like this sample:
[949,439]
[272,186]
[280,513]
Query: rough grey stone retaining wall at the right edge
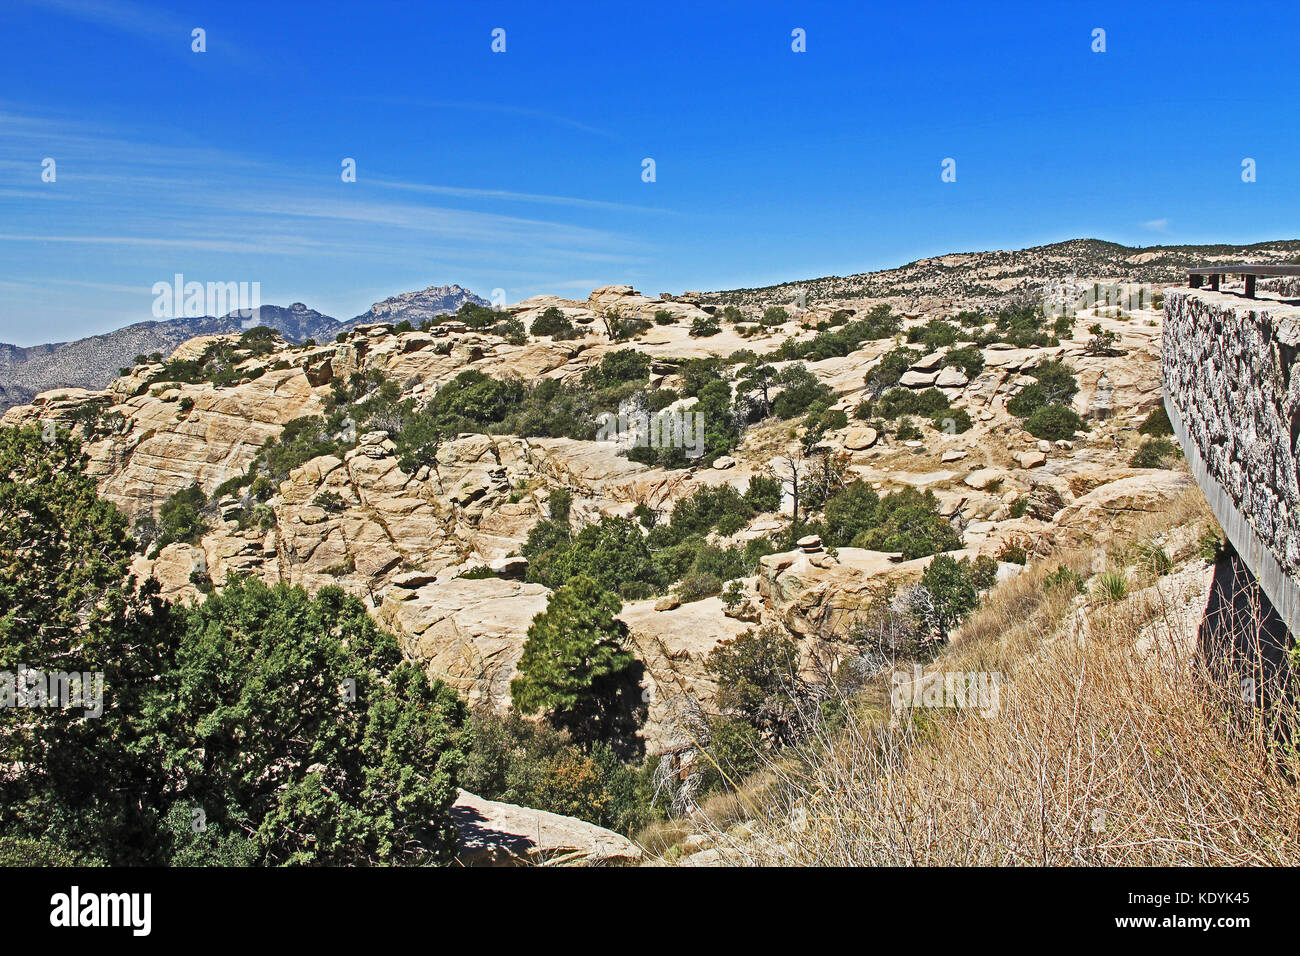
[1233,393]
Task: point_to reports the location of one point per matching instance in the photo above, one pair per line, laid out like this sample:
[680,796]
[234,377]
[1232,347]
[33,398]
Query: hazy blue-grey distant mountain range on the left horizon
[96,361]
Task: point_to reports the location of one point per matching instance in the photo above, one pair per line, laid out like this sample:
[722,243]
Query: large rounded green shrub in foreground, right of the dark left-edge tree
[241,650]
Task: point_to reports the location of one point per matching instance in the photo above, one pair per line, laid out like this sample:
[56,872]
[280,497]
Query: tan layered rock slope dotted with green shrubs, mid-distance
[310,471]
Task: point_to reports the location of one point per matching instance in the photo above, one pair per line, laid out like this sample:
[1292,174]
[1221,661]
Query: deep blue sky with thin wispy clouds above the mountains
[522,171]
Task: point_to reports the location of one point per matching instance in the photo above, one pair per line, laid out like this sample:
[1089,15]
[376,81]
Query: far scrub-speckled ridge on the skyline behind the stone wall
[989,276]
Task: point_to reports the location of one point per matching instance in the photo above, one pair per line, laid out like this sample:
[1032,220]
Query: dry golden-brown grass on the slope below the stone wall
[1099,752]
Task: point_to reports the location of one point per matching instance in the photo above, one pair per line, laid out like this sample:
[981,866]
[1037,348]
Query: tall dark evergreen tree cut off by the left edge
[76,780]
